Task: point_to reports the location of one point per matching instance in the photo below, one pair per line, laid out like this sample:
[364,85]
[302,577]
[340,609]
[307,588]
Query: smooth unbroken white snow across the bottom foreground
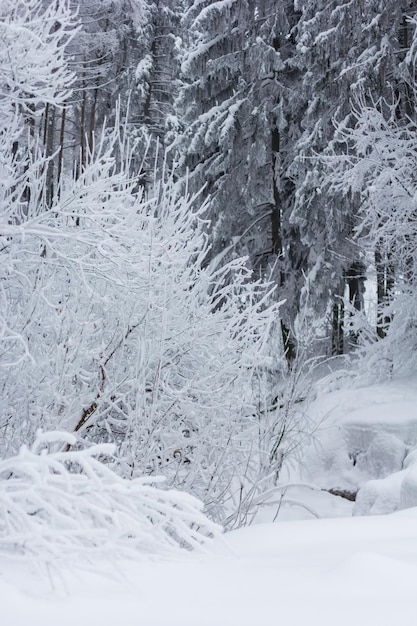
[360,571]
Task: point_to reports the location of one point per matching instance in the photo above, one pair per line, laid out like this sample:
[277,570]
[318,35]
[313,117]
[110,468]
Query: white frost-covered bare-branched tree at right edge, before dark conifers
[373,159]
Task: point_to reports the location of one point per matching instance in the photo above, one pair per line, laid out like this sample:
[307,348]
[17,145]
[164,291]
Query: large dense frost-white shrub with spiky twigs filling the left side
[115,325]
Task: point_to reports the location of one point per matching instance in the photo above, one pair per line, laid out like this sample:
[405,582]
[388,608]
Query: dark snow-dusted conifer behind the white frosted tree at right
[343,49]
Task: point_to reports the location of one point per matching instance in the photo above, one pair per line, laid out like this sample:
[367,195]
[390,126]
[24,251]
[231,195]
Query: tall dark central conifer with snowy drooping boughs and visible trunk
[234,105]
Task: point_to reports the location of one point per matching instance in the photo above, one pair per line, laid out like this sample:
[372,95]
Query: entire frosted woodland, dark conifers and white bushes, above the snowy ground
[194,196]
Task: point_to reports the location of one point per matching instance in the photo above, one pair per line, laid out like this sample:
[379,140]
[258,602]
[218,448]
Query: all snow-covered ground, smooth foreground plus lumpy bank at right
[342,570]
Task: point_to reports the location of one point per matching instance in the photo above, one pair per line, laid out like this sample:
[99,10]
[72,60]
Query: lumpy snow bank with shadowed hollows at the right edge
[365,442]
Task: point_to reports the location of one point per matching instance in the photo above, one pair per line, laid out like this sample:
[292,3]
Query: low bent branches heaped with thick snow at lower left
[64,503]
